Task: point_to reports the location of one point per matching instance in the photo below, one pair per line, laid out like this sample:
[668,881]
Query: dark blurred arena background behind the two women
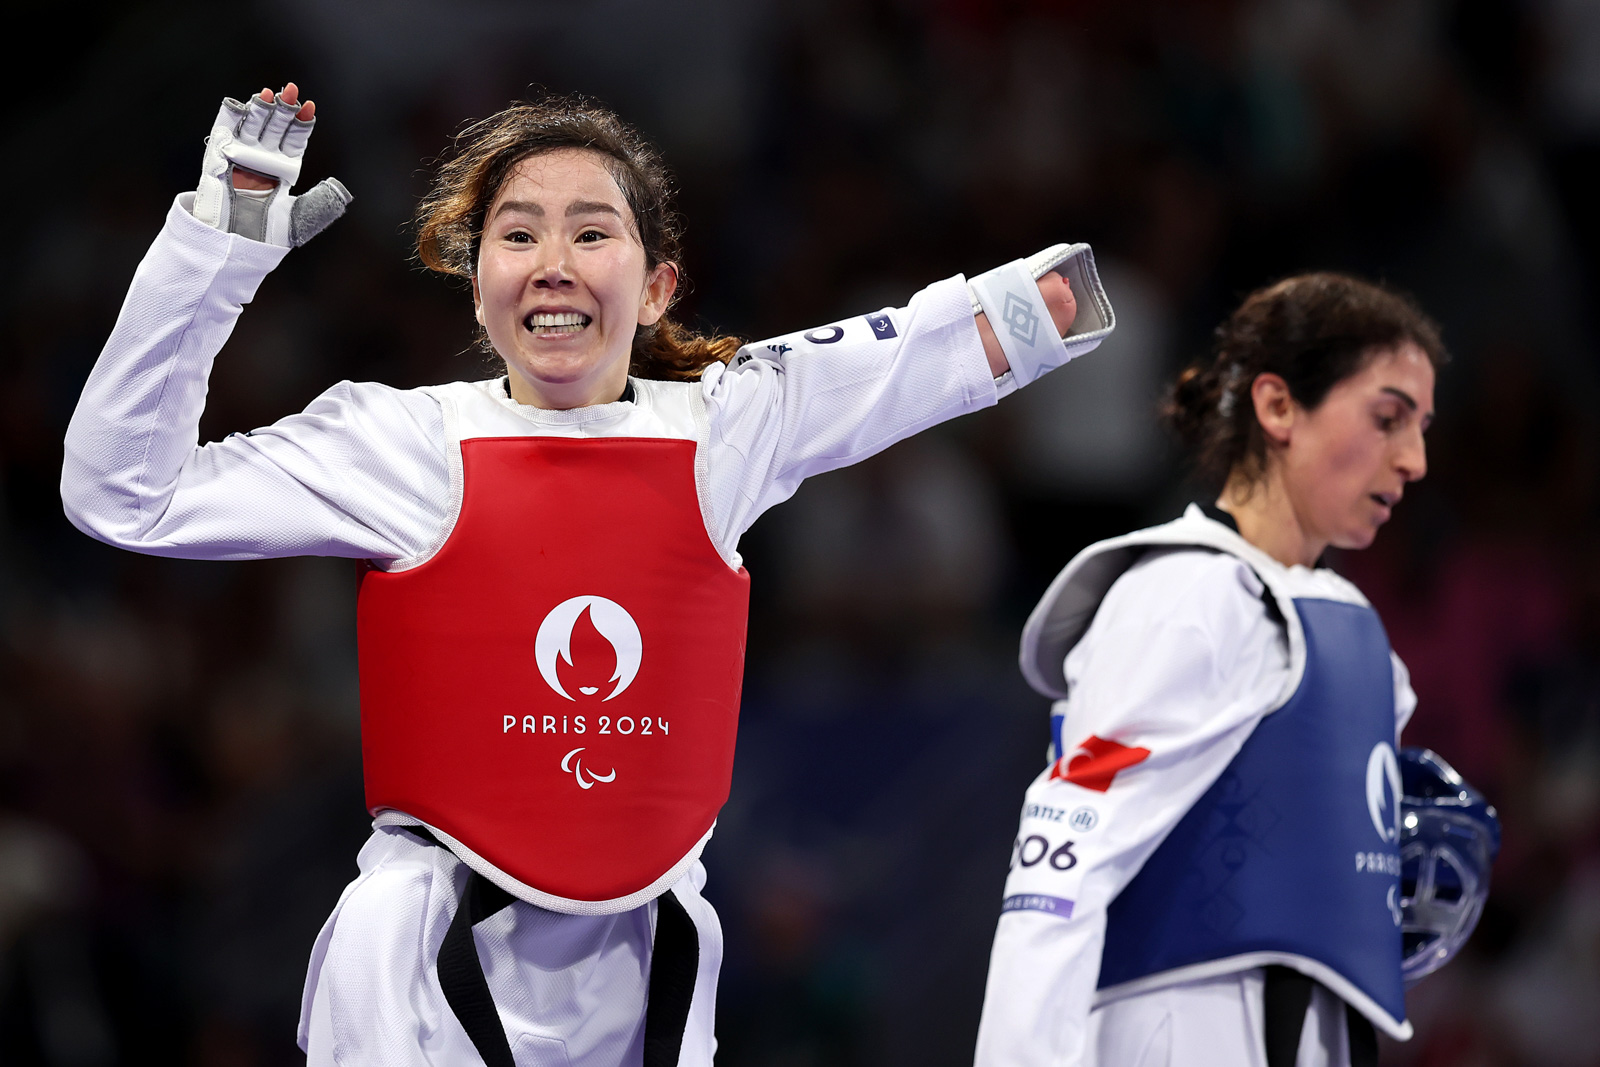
[180,770]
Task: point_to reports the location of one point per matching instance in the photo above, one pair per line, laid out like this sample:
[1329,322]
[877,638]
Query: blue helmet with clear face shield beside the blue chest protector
[1449,841]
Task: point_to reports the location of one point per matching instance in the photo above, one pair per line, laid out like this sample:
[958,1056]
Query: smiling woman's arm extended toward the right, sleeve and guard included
[822,399]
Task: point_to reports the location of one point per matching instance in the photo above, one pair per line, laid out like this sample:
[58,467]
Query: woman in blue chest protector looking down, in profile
[1207,873]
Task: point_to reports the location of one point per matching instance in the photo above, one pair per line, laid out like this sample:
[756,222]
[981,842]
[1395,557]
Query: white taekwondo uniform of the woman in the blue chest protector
[1182,663]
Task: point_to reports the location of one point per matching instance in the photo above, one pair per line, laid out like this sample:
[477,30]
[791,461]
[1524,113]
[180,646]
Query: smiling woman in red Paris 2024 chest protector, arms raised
[551,613]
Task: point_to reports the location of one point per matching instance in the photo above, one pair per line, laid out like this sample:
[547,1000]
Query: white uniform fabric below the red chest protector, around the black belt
[569,989]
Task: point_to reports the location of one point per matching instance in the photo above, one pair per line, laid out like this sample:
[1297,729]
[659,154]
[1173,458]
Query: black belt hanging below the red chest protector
[674,964]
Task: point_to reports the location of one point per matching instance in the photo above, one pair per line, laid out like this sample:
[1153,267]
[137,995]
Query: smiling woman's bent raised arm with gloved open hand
[134,474]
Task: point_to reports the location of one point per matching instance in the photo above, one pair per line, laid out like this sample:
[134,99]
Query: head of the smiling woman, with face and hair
[548,207]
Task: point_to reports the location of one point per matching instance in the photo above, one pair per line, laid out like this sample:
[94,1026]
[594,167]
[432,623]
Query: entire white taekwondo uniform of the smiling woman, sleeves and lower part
[374,473]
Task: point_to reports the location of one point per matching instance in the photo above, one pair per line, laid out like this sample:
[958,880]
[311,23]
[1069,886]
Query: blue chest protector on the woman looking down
[1292,855]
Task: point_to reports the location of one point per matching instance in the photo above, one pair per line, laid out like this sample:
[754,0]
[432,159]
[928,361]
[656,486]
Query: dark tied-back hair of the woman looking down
[1313,330]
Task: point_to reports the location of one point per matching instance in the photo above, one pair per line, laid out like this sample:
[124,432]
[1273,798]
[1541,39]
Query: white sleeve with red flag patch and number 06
[1175,673]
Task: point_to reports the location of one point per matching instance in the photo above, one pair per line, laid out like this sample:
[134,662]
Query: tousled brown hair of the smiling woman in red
[450,217]
